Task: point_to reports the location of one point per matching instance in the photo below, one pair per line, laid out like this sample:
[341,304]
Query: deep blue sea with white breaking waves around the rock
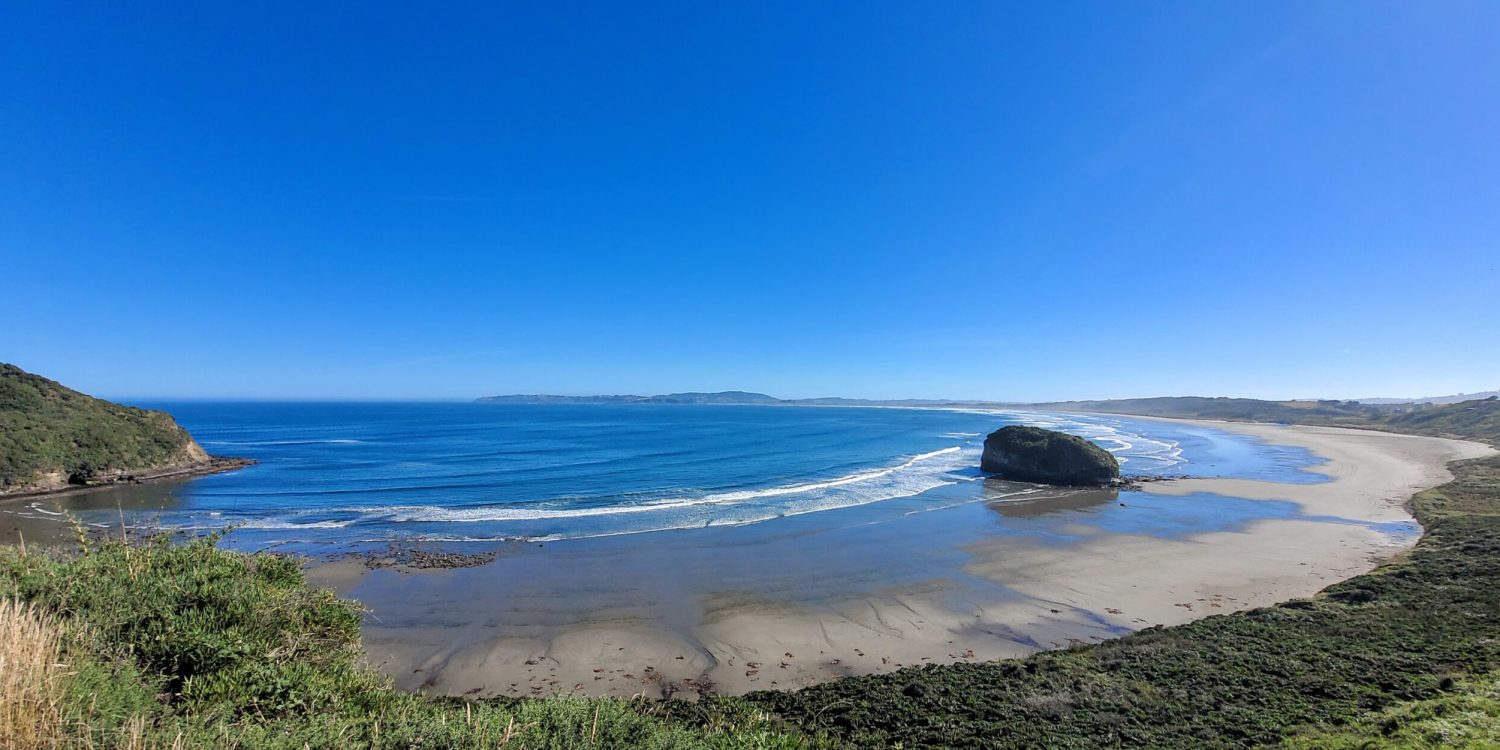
[376,473]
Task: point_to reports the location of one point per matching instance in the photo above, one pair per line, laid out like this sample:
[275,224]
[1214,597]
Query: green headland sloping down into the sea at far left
[53,437]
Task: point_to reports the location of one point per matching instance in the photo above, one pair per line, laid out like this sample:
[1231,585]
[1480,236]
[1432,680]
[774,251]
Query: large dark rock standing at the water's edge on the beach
[1048,457]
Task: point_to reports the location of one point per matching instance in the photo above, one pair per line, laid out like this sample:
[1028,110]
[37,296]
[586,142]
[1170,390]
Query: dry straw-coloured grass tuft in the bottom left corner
[31,680]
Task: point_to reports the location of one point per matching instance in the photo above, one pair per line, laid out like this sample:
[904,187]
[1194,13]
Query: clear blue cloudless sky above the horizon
[949,200]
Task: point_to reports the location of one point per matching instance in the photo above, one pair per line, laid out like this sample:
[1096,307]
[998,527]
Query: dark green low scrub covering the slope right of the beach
[1394,643]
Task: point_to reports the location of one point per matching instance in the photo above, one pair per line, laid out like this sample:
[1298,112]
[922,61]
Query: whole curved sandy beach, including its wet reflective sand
[802,601]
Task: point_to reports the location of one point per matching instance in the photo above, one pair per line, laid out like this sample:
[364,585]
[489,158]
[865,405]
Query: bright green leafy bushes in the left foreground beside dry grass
[200,647]
